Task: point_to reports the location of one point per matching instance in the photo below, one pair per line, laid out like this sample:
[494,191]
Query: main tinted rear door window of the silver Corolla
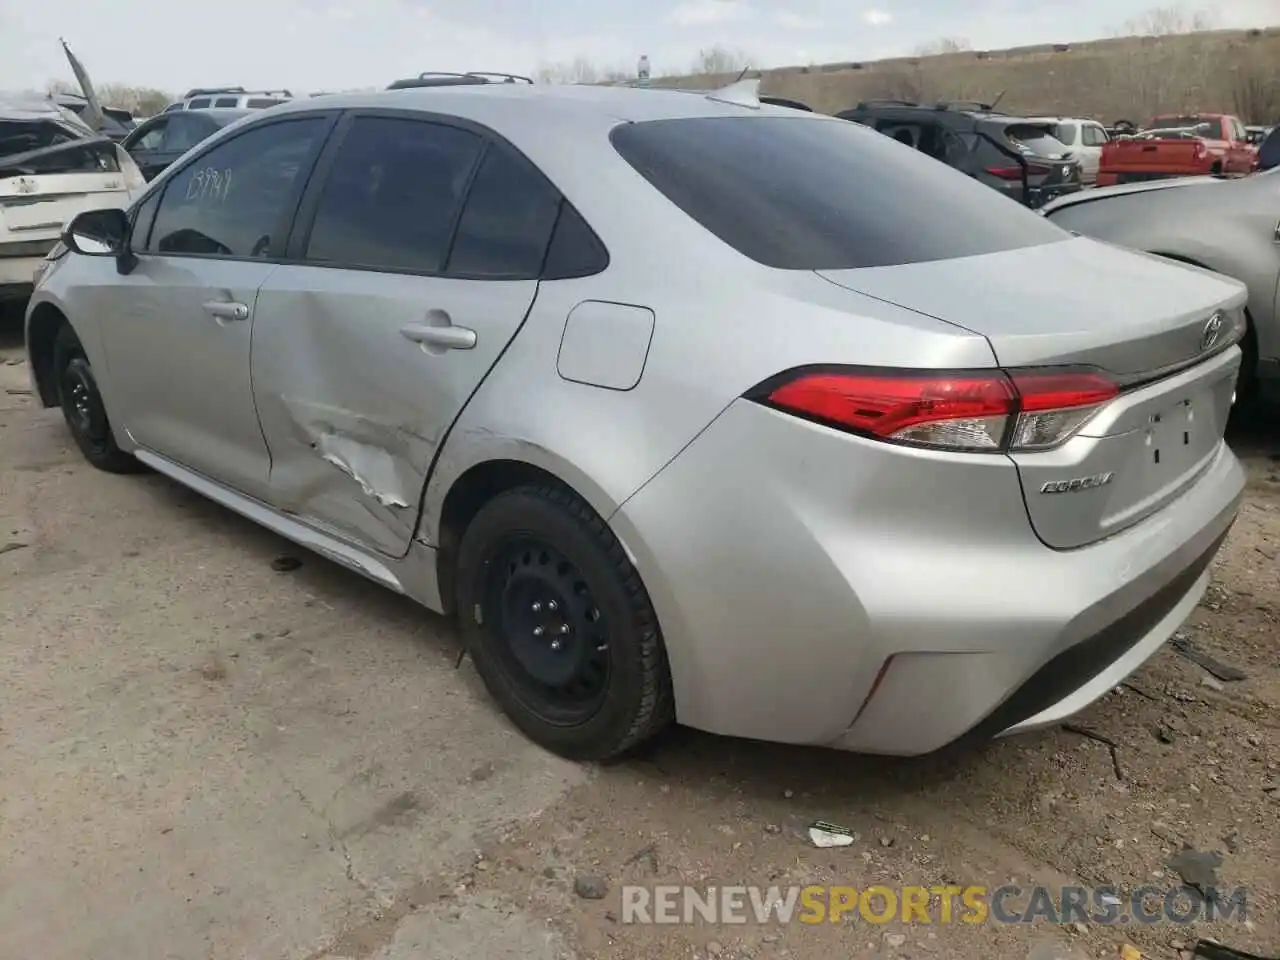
[394,195]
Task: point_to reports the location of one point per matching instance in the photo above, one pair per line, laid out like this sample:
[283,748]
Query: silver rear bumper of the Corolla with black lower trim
[816,588]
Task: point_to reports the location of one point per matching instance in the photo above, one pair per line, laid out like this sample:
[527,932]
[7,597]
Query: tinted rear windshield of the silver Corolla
[806,194]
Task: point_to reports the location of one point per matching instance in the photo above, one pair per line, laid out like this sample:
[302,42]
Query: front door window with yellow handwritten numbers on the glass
[232,202]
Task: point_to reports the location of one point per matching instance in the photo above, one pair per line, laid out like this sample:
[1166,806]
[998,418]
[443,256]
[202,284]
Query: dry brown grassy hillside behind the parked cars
[1110,80]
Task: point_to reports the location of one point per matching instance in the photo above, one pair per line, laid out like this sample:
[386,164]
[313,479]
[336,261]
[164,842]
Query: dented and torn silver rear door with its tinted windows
[420,254]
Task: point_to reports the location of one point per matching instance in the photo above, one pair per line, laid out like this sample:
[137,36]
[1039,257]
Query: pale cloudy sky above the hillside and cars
[333,45]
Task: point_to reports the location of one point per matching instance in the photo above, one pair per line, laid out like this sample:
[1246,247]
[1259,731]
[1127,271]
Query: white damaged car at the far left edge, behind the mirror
[53,167]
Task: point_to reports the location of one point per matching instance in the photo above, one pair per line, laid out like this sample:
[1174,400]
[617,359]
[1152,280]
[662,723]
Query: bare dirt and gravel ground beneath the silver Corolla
[204,757]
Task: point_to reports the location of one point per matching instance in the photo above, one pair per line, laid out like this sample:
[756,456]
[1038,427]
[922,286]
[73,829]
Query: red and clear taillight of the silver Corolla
[972,412]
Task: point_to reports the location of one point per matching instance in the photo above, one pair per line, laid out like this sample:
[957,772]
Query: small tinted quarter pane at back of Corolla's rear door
[508,221]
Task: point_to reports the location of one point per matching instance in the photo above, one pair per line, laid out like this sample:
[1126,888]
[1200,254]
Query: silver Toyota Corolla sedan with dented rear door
[689,408]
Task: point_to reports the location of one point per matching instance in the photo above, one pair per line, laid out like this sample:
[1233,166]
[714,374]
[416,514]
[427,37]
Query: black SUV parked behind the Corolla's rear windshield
[1020,158]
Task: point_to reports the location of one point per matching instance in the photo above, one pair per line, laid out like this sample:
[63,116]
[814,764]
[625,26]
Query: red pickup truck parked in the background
[1183,145]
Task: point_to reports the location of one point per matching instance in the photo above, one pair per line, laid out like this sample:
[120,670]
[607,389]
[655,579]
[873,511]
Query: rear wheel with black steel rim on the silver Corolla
[560,625]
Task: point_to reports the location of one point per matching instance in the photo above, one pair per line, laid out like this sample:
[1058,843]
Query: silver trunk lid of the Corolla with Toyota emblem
[1082,303]
